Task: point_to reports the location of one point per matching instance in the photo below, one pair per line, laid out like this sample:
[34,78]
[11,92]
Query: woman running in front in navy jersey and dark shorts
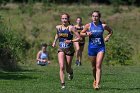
[66,50]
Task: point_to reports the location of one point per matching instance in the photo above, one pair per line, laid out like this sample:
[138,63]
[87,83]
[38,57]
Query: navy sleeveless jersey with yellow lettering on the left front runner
[64,35]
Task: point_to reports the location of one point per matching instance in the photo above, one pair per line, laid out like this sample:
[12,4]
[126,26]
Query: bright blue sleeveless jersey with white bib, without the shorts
[96,39]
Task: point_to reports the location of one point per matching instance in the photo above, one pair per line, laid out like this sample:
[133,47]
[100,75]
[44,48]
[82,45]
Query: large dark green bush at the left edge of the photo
[12,48]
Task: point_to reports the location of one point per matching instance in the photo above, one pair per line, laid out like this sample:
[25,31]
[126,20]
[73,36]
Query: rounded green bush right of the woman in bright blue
[119,50]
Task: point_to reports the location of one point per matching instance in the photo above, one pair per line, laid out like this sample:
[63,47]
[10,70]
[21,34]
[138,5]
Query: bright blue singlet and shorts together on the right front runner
[96,40]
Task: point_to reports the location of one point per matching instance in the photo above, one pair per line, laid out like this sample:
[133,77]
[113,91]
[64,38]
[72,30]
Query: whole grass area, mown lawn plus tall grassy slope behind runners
[37,79]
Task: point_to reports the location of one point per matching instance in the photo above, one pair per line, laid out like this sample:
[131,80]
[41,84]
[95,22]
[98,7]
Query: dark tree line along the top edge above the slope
[118,2]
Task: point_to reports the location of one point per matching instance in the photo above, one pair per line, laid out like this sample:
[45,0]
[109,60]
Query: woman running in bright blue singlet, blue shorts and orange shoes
[96,46]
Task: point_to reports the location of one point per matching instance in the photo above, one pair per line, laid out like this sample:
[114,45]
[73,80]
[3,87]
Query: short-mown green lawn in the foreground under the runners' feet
[115,79]
